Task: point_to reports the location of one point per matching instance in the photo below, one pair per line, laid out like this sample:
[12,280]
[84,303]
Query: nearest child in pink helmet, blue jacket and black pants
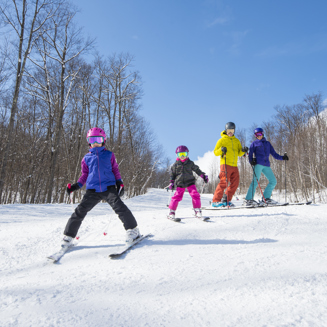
[101,175]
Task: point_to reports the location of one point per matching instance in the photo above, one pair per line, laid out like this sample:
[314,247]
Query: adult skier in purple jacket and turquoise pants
[259,153]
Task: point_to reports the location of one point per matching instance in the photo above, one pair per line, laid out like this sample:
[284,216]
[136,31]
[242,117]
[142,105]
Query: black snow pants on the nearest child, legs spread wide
[90,200]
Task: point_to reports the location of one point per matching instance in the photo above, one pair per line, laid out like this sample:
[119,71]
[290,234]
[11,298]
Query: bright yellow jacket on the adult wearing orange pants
[234,149]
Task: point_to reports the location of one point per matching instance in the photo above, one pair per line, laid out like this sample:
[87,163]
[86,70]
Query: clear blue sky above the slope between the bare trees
[204,63]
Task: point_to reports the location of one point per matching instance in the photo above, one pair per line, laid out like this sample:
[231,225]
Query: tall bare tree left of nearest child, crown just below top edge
[62,44]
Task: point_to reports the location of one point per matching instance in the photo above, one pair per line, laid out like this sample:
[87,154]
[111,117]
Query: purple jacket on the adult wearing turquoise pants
[261,149]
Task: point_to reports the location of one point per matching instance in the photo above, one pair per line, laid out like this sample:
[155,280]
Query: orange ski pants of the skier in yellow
[233,178]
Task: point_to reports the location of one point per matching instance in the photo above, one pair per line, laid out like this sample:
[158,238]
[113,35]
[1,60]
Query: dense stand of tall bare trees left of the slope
[50,96]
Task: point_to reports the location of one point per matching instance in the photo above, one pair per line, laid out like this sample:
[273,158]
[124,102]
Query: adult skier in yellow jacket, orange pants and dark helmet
[229,148]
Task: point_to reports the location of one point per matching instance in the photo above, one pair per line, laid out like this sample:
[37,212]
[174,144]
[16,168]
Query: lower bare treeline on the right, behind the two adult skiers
[299,130]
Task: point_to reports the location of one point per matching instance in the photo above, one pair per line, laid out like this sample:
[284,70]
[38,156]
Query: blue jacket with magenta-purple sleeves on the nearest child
[99,170]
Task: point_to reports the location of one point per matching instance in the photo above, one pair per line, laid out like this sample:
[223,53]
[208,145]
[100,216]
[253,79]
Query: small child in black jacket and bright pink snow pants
[182,177]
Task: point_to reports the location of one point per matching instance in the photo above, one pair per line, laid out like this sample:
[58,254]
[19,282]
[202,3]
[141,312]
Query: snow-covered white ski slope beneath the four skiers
[248,267]
